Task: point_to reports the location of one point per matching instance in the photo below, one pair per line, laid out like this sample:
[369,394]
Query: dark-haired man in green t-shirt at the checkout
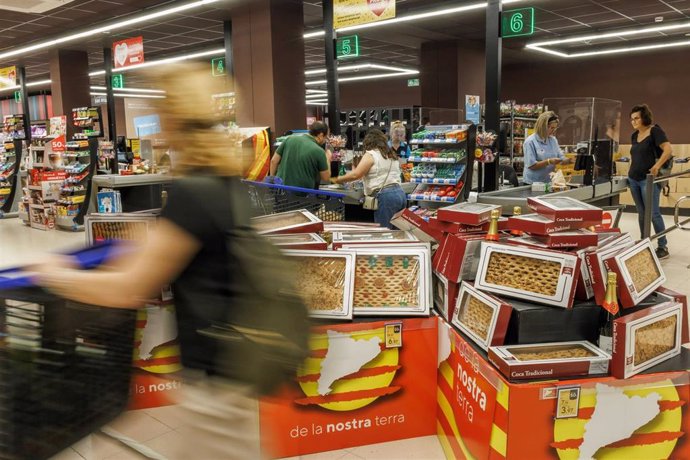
[301,161]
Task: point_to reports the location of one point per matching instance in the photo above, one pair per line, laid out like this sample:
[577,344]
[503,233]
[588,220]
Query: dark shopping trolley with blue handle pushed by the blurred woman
[64,366]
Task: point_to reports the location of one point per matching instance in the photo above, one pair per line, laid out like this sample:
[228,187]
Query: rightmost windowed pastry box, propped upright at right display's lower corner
[646,338]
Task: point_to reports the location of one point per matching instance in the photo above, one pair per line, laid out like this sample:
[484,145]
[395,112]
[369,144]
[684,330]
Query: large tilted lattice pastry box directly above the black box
[537,275]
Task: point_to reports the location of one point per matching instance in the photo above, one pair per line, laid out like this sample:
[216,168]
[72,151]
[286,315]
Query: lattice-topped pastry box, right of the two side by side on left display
[392,281]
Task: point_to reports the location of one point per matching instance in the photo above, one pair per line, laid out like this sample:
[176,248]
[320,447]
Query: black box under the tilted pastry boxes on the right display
[532,323]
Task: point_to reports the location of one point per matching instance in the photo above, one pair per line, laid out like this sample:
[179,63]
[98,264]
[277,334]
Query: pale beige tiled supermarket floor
[161,429]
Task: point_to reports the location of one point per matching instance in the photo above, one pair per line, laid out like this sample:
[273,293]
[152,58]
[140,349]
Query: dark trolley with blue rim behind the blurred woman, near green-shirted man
[269,198]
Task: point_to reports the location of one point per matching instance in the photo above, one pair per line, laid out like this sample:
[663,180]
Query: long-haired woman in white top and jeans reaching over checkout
[380,171]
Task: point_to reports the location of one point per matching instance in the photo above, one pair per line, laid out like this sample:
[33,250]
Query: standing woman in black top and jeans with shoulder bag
[648,141]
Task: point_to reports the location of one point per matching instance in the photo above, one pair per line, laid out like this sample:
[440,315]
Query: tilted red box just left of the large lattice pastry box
[457,257]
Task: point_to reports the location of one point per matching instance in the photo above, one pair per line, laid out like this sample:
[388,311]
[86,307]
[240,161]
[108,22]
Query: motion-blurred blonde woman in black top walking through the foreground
[187,247]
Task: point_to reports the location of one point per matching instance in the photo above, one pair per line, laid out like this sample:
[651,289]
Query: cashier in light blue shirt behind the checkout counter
[541,150]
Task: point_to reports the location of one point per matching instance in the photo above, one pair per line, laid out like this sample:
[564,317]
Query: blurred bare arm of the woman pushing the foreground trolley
[139,276]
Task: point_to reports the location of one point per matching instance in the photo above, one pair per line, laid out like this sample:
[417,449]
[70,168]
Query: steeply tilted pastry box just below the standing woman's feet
[639,273]
